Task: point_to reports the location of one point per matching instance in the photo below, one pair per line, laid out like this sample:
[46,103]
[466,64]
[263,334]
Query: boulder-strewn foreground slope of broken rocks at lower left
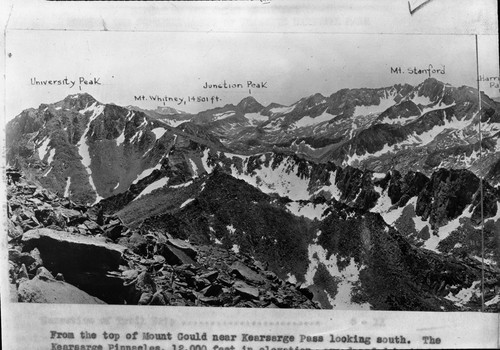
[51,238]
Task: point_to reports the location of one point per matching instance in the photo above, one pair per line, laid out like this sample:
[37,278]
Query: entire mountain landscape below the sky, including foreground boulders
[367,198]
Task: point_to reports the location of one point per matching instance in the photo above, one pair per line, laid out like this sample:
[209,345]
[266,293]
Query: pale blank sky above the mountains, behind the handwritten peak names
[177,64]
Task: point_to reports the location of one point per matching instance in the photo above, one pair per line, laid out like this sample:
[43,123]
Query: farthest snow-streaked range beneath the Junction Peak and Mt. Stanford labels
[400,127]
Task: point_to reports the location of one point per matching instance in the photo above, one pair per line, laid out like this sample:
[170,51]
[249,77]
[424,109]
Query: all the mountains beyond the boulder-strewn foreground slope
[368,197]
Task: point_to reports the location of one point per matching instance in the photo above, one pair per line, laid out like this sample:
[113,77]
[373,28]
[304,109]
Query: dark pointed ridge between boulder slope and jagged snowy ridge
[342,253]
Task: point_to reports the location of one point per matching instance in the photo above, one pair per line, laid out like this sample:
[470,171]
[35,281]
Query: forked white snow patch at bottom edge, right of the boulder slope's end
[346,279]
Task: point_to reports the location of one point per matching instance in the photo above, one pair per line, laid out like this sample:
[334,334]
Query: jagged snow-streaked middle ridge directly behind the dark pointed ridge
[425,209]
